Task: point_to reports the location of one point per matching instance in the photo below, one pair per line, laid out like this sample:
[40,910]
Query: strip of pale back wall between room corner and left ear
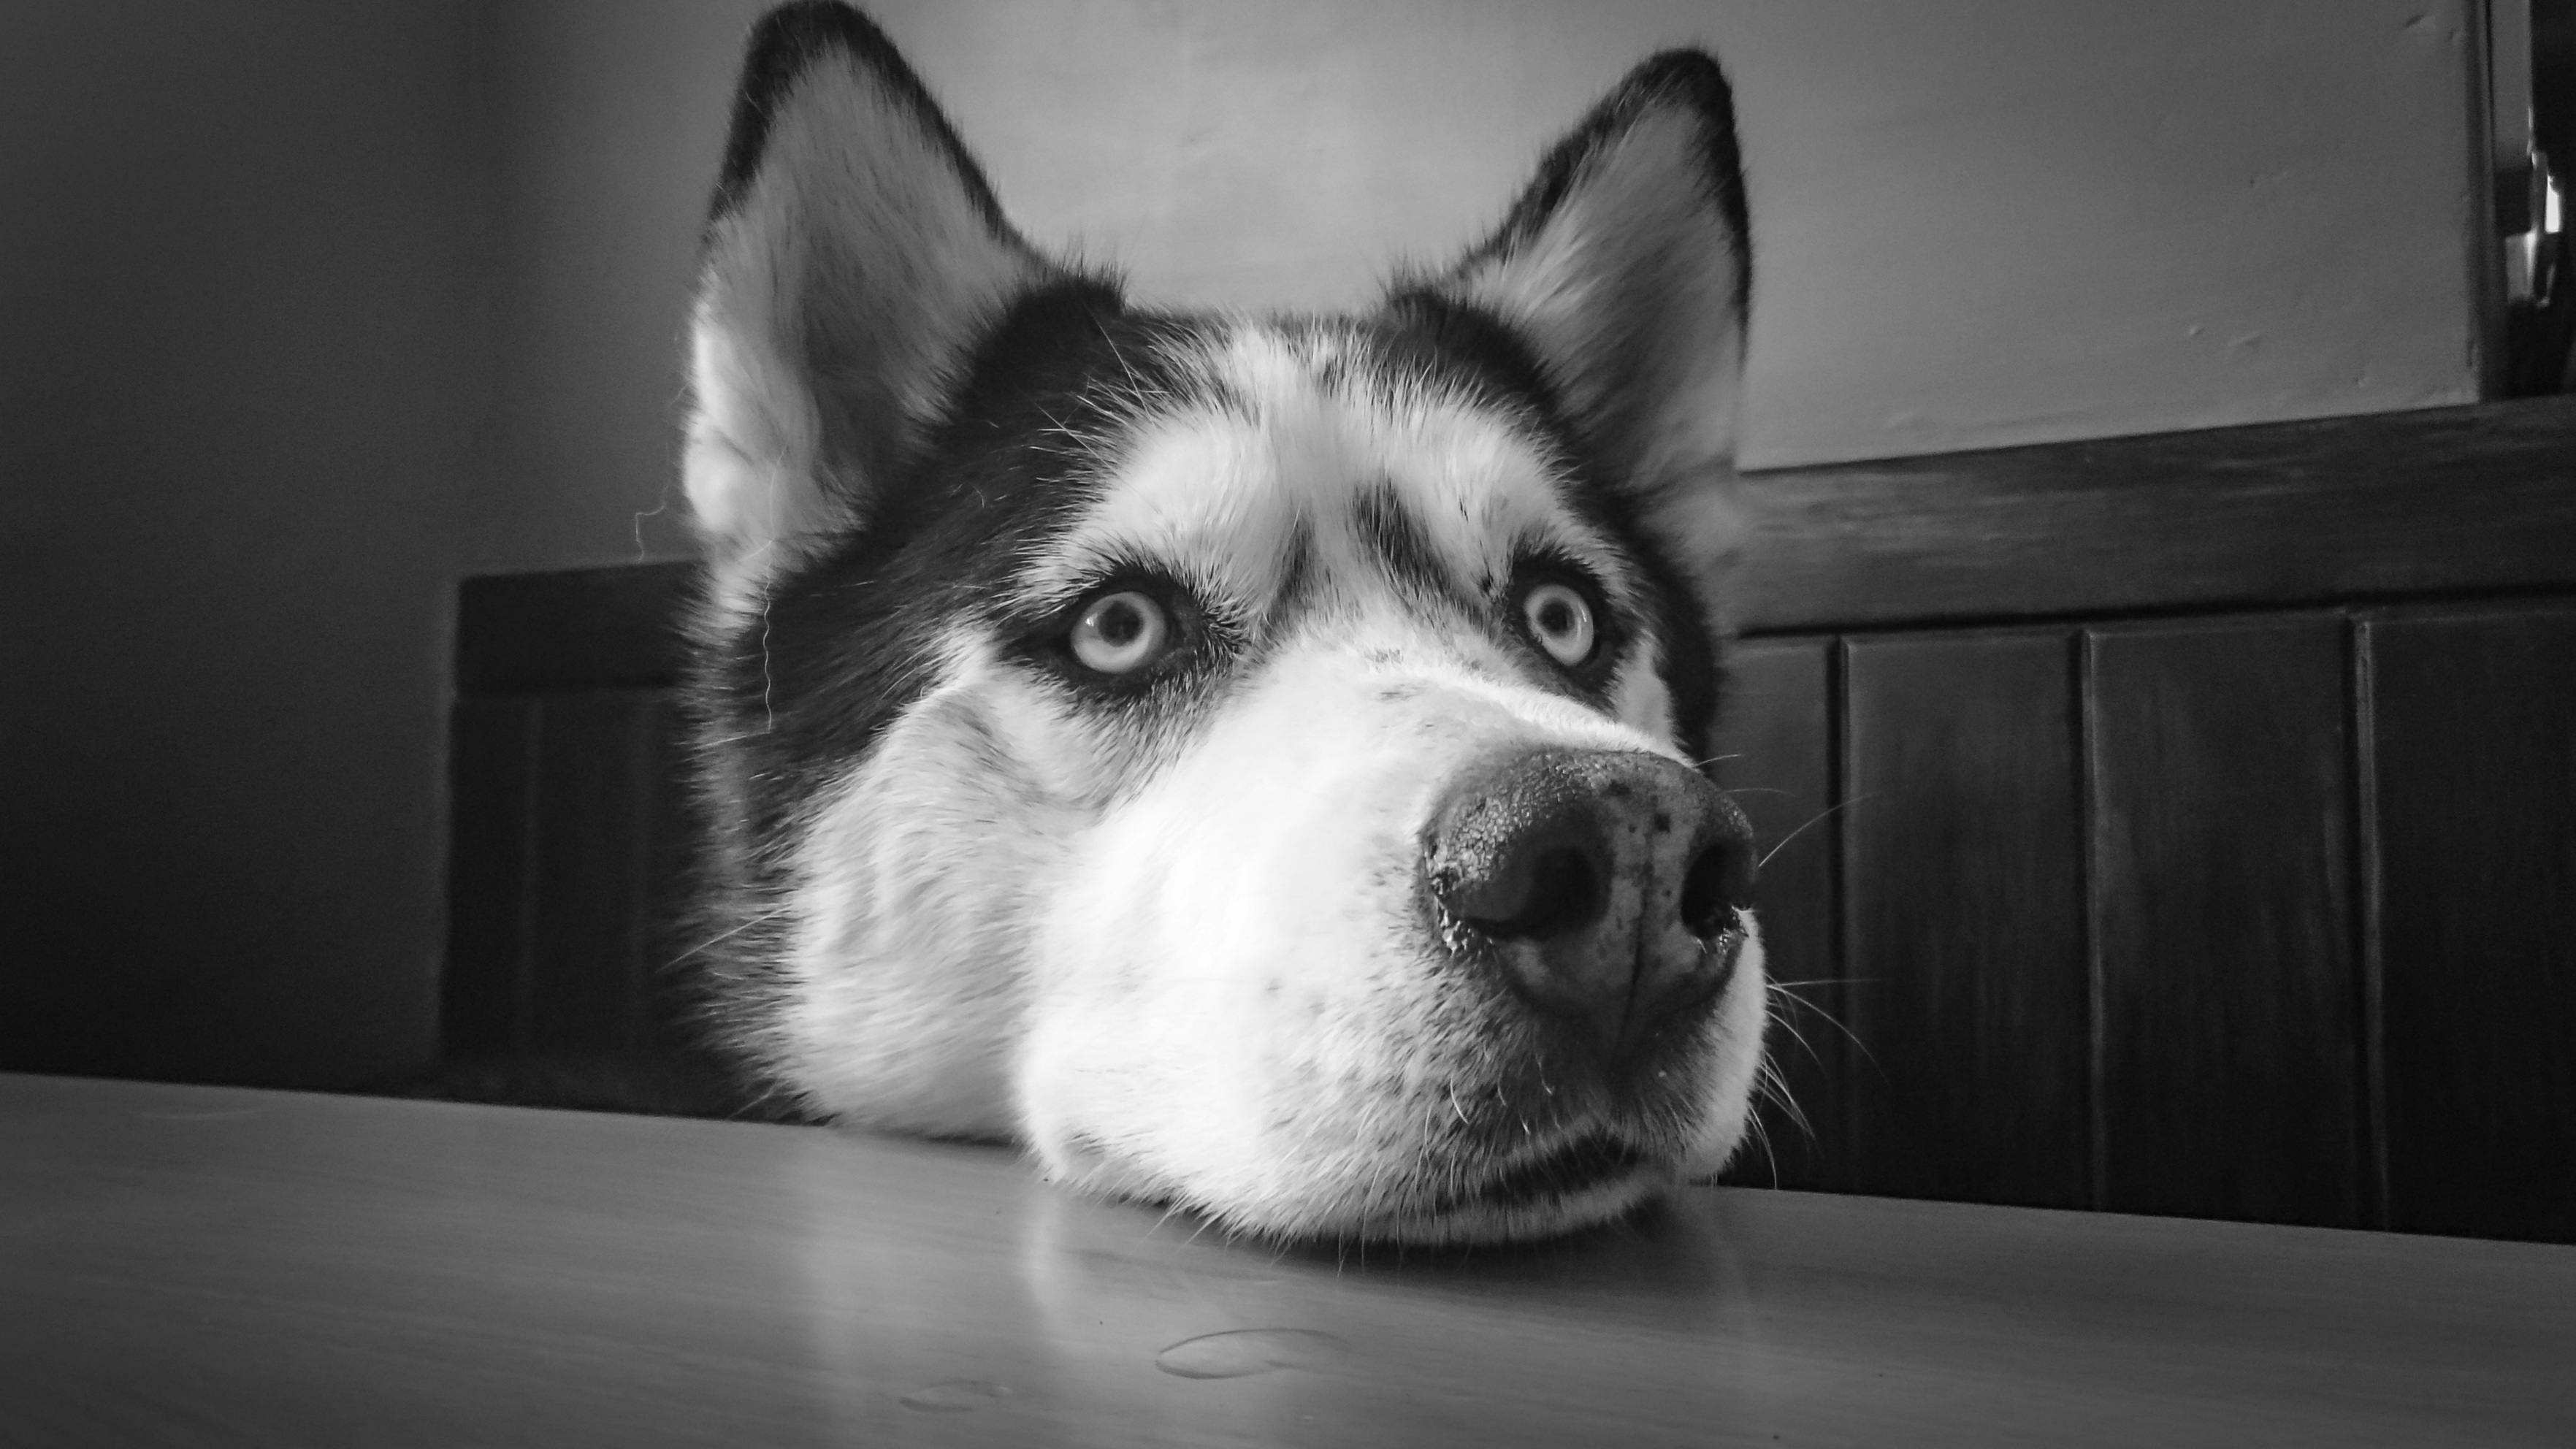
[614,117]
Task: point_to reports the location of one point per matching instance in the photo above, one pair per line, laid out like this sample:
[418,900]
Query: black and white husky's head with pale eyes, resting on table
[1245,761]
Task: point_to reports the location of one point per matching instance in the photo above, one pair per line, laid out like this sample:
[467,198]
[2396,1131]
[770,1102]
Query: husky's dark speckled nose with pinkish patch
[1604,881]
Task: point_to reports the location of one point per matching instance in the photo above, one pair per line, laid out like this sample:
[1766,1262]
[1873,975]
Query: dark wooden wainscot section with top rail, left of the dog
[568,817]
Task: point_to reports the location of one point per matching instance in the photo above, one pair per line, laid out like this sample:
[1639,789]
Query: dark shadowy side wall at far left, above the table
[241,336]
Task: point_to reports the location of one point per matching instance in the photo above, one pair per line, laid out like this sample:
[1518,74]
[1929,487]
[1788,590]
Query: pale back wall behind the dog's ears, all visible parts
[1977,223]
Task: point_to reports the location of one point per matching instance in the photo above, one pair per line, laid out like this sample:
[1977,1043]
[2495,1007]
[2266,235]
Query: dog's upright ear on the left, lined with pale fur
[854,254]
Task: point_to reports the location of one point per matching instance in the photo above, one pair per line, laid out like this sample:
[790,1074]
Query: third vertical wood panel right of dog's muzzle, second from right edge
[2222,900]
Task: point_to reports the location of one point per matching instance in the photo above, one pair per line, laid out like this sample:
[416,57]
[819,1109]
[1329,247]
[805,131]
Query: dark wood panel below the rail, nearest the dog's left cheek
[591,869]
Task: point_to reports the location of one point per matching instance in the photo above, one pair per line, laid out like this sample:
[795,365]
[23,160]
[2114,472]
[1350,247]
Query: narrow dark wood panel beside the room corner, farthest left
[491,889]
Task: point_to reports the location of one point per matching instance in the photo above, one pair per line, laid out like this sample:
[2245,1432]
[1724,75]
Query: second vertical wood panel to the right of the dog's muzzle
[1964,918]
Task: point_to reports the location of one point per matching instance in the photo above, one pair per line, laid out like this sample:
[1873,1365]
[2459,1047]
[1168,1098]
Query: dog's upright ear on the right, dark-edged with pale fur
[1627,269]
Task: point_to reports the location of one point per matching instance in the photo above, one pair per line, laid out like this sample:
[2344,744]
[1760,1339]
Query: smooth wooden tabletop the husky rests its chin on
[256,1268]
